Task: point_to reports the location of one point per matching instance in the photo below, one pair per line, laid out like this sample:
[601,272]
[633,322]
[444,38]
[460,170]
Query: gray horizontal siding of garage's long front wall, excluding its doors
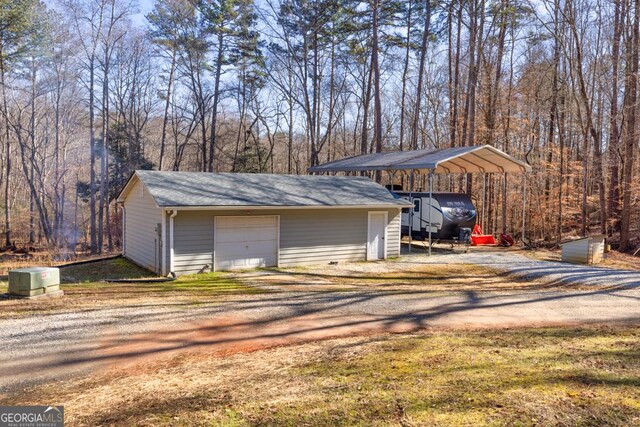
[307,236]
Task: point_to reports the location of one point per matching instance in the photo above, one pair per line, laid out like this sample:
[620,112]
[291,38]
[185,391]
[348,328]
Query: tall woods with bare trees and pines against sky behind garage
[94,89]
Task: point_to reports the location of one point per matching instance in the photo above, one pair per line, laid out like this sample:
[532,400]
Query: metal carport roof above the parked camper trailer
[482,158]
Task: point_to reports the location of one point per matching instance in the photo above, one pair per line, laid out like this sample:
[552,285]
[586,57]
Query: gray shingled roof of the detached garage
[171,189]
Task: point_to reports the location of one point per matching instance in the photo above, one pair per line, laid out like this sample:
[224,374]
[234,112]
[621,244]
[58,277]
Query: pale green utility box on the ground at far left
[30,282]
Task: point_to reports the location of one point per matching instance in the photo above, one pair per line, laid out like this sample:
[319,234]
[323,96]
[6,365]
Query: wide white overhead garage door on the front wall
[245,242]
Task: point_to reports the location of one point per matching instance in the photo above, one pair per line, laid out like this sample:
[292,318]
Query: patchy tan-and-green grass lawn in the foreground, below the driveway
[530,377]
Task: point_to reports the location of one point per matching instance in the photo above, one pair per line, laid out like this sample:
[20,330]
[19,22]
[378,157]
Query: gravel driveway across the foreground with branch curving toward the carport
[53,346]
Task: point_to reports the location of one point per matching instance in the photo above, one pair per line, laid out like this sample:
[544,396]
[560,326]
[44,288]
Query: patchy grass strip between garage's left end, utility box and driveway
[83,289]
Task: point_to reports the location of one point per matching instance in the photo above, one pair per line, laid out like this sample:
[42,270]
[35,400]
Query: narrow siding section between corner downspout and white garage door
[193,242]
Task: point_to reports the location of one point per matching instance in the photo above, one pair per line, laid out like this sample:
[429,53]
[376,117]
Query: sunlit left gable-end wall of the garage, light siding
[142,217]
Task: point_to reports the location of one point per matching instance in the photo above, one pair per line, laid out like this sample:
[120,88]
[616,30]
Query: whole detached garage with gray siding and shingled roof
[189,222]
